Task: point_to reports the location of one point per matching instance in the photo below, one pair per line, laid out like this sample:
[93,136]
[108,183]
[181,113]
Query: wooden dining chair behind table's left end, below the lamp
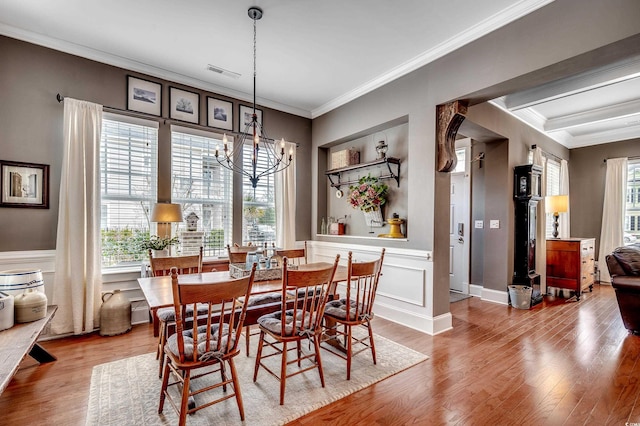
[161,266]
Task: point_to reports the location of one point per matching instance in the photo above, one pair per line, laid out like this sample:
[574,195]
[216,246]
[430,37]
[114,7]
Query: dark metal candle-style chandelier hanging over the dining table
[266,157]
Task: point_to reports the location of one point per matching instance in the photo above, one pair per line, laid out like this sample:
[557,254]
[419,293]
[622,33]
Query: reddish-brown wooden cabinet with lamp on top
[570,264]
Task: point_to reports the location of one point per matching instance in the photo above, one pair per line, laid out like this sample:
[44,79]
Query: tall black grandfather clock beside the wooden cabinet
[526,194]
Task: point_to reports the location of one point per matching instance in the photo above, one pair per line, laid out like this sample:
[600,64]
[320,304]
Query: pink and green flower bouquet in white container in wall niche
[369,195]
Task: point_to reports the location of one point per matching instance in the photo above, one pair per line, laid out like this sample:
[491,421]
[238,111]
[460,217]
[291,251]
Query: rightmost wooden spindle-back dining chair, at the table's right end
[356,309]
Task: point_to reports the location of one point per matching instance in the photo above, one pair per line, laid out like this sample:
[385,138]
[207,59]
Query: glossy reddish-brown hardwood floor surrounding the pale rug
[560,363]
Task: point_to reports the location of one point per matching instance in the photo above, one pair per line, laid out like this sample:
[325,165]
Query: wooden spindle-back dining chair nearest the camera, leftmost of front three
[207,348]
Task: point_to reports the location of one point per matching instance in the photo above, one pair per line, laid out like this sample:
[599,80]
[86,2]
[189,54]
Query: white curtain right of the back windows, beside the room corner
[286,203]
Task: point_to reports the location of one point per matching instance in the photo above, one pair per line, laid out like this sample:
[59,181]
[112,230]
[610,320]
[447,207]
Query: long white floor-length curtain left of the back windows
[78,282]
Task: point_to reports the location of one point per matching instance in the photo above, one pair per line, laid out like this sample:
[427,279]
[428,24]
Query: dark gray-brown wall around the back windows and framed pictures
[31,131]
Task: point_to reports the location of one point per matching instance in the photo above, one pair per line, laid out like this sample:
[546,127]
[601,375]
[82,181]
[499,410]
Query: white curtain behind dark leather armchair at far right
[612,229]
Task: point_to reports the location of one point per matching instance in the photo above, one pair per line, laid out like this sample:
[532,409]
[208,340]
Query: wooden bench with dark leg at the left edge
[20,340]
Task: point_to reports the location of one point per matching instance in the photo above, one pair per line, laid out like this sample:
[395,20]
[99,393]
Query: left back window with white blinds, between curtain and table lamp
[128,182]
